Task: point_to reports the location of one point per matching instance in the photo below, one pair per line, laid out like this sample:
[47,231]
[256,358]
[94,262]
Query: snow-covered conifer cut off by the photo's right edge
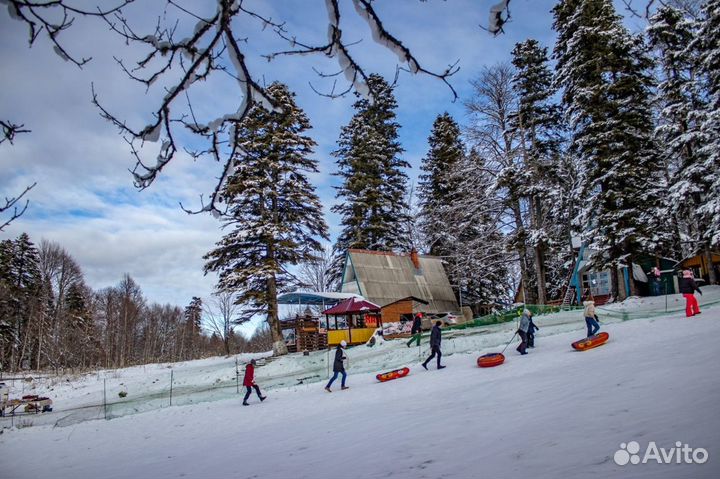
[708,45]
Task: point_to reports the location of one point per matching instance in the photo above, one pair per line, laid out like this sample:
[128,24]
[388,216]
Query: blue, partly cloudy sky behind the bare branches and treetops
[84,198]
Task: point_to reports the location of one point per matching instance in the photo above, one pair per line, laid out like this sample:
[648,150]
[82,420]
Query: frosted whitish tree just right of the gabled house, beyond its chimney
[478,259]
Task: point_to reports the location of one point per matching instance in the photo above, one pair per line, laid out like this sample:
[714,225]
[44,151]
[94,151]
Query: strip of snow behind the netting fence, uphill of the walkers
[148,387]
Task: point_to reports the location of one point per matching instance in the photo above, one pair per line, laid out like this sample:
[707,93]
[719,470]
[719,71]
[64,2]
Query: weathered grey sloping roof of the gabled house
[386,277]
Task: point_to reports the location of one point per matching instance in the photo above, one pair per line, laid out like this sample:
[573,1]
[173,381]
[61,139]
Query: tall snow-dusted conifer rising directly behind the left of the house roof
[373,204]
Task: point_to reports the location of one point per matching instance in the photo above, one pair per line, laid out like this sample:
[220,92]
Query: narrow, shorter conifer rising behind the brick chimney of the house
[435,188]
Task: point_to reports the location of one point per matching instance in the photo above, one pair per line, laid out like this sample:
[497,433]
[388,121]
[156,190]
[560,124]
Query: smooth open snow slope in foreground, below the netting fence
[553,413]
